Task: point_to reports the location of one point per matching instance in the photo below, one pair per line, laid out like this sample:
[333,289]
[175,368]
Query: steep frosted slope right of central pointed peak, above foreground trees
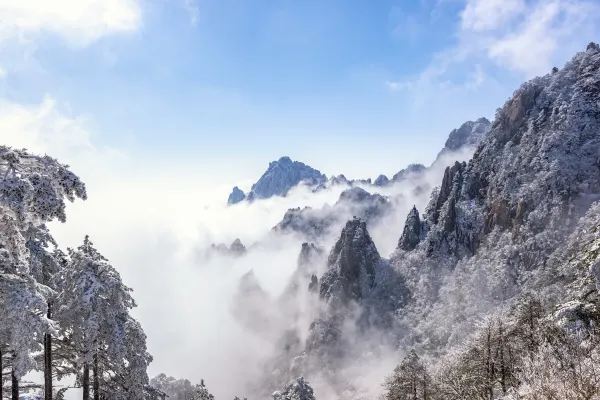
[496,226]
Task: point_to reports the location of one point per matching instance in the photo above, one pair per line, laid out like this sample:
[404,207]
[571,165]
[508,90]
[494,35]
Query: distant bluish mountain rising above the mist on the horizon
[278,179]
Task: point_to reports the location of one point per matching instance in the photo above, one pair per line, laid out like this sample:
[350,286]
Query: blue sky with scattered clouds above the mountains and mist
[355,87]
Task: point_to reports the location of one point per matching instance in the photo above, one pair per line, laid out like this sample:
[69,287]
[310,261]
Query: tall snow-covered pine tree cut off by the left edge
[33,190]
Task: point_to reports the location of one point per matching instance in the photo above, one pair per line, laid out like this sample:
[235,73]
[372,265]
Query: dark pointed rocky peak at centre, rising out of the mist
[351,265]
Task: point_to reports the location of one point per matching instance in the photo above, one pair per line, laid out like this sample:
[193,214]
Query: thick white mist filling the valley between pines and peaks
[153,223]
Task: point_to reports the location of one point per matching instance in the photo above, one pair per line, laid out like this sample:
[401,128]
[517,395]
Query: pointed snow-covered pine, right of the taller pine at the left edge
[92,308]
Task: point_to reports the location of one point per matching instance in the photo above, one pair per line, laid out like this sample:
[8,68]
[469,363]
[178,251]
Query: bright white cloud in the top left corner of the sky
[79,22]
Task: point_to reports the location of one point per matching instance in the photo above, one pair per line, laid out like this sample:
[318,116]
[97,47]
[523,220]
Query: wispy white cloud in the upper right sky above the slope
[515,37]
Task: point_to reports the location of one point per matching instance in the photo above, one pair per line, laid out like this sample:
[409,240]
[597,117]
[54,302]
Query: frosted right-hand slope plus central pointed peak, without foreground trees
[508,222]
